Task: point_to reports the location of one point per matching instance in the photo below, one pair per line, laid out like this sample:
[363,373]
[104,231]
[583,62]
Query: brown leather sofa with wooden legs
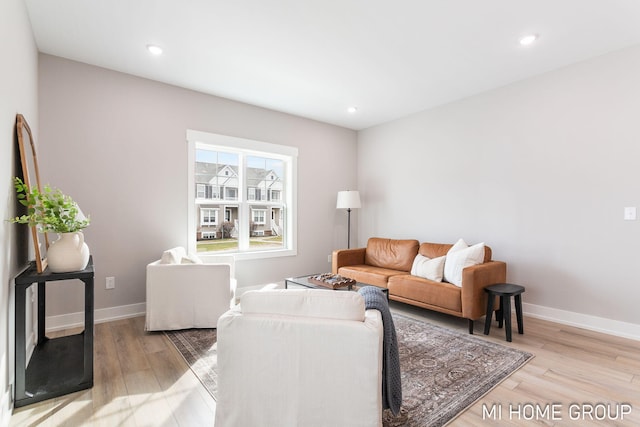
[387,263]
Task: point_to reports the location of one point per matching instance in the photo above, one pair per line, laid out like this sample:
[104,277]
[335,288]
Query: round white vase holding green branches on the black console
[68,253]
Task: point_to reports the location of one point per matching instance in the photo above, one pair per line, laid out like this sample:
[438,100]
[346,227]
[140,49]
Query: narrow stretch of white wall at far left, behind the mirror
[18,89]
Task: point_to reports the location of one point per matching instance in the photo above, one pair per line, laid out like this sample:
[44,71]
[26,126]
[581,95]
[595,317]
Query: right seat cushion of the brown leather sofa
[439,294]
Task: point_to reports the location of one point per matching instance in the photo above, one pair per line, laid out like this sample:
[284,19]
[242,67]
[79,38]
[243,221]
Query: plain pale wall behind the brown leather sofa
[539,170]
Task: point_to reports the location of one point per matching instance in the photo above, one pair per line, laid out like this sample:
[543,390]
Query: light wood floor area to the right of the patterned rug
[570,366]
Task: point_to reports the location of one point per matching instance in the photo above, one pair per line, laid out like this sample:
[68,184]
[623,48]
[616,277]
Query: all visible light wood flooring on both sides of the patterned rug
[141,380]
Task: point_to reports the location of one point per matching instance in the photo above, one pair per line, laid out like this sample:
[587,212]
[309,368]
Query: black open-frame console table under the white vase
[61,365]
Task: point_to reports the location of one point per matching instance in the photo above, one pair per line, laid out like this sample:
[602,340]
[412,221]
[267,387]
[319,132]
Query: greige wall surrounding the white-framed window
[117,144]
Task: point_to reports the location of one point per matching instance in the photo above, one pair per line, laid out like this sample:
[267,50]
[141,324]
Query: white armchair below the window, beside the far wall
[183,292]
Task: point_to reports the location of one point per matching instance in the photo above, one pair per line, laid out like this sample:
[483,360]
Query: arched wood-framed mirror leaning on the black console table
[31,177]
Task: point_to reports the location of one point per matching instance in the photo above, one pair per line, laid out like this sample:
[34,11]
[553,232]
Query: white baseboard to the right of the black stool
[585,321]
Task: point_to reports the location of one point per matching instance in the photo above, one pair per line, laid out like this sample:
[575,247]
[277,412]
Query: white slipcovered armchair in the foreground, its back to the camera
[293,357]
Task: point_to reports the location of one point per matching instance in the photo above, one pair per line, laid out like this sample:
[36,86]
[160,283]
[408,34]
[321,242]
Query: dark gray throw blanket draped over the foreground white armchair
[375,299]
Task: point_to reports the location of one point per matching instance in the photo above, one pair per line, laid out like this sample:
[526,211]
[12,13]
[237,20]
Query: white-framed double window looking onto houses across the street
[241,196]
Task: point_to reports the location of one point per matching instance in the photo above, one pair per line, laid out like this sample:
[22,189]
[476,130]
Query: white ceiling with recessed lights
[316,58]
